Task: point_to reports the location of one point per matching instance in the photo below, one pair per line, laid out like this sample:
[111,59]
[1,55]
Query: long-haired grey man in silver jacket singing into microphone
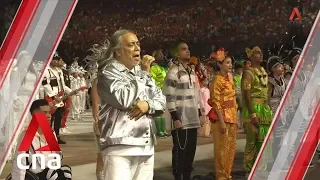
[129,99]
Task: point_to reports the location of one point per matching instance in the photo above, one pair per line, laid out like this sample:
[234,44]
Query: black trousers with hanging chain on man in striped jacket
[183,151]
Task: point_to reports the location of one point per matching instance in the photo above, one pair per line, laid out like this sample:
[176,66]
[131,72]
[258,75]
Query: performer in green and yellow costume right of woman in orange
[257,114]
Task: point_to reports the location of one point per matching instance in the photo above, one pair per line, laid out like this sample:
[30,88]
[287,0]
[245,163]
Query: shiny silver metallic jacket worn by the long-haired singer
[119,89]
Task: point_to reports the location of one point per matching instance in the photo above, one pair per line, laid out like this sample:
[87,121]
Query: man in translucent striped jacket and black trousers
[181,92]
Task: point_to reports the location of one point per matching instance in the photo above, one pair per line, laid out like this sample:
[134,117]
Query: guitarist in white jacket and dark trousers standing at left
[53,84]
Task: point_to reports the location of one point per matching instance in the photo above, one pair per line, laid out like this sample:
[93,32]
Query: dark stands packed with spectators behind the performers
[204,24]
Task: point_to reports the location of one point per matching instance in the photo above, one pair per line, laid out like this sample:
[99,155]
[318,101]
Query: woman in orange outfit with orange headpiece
[225,127]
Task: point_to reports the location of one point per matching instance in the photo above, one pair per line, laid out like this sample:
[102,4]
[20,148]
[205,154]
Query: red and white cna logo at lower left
[39,120]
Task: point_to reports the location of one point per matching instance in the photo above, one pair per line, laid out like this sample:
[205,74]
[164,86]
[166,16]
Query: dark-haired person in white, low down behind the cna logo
[64,173]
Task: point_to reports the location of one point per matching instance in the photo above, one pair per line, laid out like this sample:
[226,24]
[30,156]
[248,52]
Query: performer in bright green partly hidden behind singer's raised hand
[158,72]
